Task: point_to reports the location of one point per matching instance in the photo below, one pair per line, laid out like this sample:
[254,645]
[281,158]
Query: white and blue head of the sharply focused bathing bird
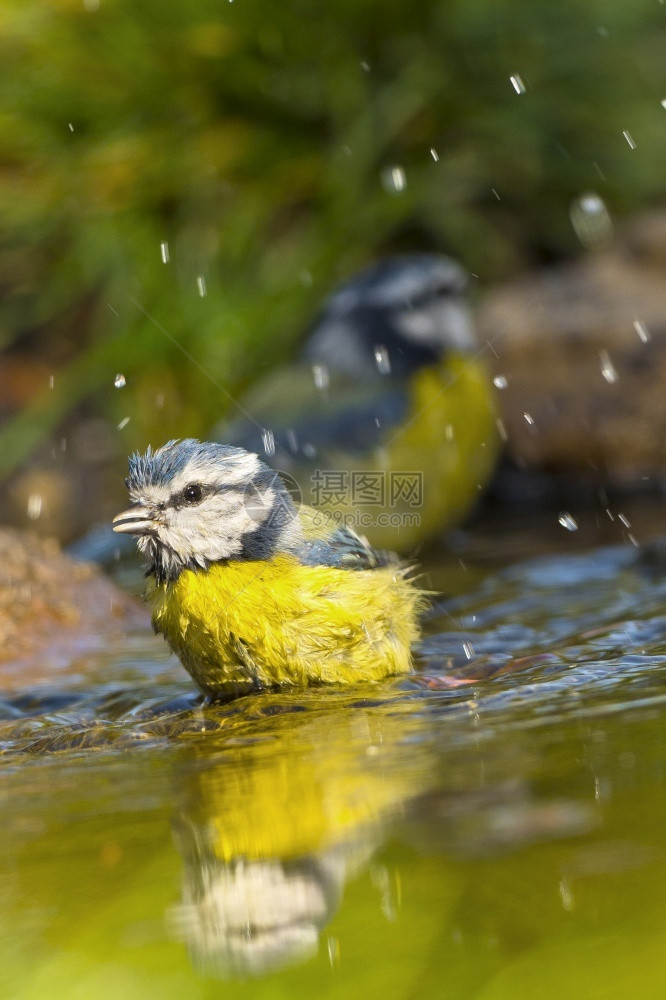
[194,503]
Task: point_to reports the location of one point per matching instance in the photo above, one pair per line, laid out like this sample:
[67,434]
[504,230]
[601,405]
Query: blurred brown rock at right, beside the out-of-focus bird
[583,351]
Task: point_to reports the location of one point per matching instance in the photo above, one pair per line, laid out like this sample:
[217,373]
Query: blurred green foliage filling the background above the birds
[257,141]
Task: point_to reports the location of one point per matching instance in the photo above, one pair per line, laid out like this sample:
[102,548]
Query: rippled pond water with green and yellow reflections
[494,827]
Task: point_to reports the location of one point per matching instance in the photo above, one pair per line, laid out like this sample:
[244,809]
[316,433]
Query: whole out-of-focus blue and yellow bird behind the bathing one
[386,422]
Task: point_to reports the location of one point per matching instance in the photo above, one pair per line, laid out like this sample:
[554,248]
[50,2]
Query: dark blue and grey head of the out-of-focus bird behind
[407,310]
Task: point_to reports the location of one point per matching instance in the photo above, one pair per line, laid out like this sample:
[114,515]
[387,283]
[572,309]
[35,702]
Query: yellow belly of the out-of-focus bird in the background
[428,471]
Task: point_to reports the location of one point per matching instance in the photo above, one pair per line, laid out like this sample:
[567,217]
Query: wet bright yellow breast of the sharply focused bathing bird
[244,624]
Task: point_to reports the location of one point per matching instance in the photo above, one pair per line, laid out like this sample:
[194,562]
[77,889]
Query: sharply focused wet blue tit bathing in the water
[252,591]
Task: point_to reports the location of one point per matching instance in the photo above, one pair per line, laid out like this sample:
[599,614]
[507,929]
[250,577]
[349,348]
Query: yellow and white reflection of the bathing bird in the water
[276,817]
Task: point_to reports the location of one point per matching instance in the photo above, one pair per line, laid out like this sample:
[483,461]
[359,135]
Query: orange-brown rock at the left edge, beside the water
[54,611]
